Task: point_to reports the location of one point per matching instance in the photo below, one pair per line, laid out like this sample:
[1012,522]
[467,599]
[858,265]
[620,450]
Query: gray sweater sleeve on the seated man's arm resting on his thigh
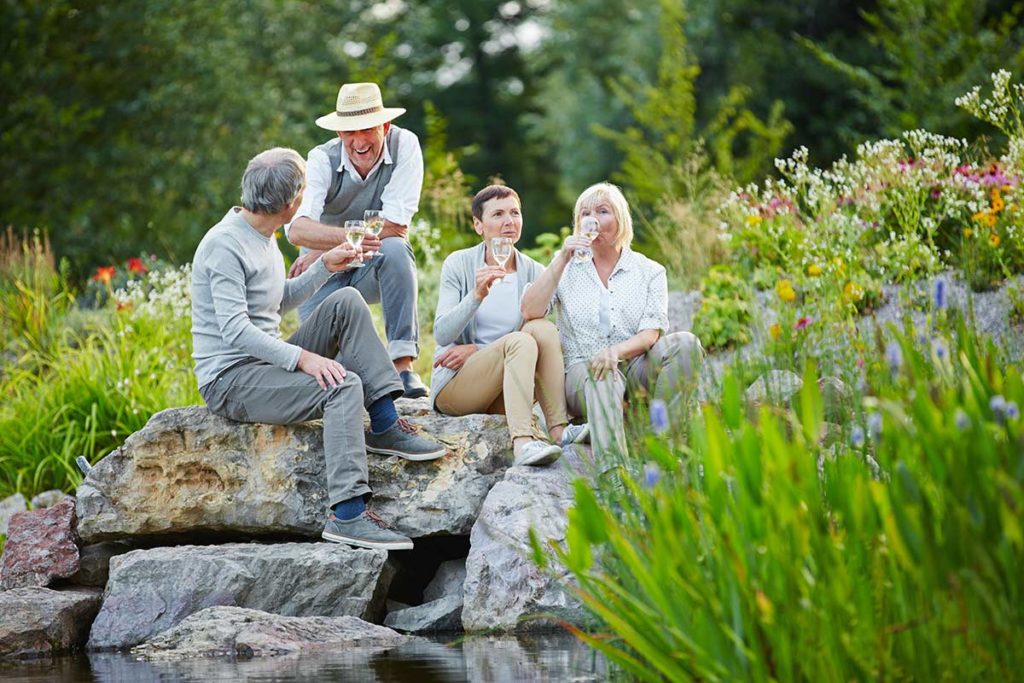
[229,292]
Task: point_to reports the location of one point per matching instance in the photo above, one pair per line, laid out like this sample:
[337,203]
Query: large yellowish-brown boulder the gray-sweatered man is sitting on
[190,472]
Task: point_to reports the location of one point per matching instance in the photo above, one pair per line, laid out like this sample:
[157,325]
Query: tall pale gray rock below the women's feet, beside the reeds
[503,586]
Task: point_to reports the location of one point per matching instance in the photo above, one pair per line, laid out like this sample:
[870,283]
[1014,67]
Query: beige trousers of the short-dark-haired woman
[506,376]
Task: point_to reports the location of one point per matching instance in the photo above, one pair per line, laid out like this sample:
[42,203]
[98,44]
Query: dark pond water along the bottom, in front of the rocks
[539,658]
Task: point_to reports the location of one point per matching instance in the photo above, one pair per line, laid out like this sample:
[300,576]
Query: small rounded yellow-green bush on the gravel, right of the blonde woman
[727,310]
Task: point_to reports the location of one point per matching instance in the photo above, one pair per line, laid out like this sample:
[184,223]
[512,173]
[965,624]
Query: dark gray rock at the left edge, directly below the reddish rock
[41,622]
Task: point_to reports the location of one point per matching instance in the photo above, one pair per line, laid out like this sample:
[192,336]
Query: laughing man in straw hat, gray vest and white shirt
[372,165]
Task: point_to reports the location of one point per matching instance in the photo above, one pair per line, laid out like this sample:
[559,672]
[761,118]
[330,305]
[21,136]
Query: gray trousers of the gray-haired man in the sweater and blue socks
[257,392]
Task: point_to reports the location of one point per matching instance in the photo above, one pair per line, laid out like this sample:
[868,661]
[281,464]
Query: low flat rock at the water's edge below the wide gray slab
[241,632]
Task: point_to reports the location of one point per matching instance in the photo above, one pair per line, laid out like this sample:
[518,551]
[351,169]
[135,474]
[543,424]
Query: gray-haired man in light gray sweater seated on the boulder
[332,368]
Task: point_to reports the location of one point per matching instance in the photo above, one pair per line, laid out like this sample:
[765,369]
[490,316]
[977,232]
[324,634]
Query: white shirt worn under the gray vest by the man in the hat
[401,198]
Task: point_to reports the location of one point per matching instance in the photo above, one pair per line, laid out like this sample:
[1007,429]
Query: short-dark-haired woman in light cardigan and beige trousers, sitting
[487,360]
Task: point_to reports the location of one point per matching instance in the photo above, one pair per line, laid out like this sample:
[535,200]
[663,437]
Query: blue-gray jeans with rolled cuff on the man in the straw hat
[389,279]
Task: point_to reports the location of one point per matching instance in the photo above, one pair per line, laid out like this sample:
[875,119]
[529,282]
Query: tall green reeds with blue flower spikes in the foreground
[758,553]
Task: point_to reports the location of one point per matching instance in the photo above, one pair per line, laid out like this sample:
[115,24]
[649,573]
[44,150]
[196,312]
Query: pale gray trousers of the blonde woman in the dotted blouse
[668,370]
